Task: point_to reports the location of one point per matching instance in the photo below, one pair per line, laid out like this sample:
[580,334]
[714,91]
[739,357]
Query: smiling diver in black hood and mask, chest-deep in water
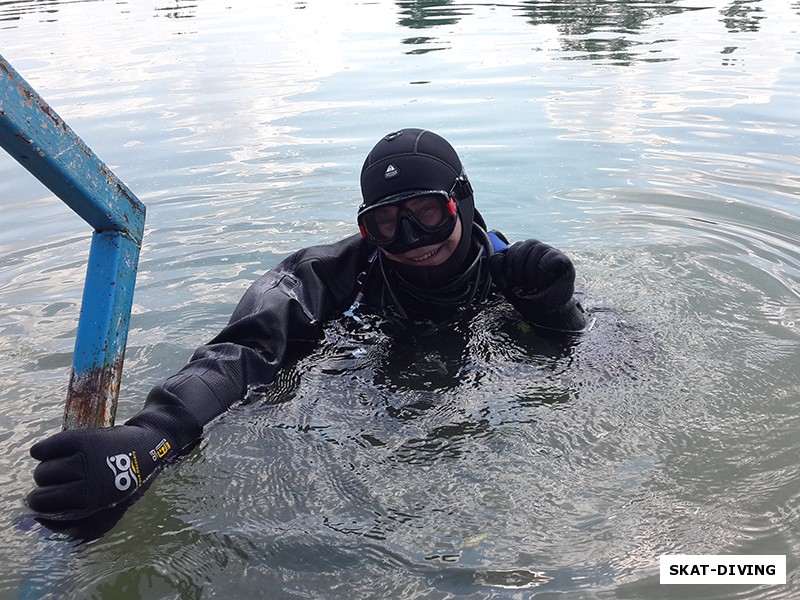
[423,253]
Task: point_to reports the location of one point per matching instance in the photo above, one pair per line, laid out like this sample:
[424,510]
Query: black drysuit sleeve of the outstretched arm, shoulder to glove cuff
[287,305]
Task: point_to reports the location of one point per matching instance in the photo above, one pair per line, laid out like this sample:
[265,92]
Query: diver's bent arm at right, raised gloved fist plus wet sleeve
[539,281]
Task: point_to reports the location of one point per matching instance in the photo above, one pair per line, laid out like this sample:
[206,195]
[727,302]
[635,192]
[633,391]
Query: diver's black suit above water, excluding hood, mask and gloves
[290,304]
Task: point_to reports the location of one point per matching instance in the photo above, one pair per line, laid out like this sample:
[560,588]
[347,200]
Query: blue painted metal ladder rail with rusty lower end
[33,134]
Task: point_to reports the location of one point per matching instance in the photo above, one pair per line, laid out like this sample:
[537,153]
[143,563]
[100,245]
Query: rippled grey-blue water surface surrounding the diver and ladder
[655,142]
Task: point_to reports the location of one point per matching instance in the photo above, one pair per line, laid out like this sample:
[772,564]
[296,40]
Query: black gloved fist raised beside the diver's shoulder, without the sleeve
[535,272]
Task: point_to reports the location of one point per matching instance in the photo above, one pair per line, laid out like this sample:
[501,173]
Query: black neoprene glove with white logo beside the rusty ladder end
[87,470]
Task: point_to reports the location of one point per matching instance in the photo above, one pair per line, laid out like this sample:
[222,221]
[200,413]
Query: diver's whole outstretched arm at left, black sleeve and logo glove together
[85,471]
